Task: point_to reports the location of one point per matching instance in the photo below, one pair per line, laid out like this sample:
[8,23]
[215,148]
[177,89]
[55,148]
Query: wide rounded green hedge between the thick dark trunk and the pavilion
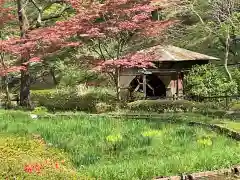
[71,99]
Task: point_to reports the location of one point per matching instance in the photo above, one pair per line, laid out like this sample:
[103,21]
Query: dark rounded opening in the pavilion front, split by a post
[155,87]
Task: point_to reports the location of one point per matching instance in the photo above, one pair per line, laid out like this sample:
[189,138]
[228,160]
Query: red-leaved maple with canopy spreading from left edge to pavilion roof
[96,24]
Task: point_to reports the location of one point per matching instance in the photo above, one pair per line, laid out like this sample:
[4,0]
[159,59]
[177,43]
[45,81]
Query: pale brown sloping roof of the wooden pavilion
[172,53]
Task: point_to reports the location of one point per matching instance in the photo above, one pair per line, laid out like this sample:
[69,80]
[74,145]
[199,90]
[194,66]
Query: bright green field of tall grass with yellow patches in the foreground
[105,148]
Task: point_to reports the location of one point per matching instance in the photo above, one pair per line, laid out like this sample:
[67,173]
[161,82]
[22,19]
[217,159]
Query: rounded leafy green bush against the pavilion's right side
[209,81]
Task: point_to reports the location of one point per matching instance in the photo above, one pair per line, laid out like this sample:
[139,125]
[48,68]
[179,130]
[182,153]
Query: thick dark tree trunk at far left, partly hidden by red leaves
[25,76]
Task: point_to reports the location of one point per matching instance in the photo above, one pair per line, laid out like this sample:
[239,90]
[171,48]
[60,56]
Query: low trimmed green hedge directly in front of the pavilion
[161,105]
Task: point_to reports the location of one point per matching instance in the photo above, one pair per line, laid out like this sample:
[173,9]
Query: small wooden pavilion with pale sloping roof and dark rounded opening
[165,81]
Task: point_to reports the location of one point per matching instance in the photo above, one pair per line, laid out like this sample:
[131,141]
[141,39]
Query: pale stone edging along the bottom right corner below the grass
[208,174]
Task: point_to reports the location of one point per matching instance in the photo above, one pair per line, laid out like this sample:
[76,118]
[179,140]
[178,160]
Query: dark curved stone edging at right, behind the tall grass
[228,132]
